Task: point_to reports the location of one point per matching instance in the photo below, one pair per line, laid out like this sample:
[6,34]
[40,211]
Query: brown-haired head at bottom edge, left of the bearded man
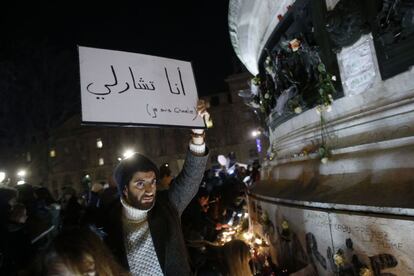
[78,251]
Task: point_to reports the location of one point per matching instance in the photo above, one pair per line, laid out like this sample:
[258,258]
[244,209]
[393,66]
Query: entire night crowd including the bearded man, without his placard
[140,225]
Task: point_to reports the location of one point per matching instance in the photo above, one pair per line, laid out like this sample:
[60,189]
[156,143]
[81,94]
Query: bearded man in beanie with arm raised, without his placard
[143,228]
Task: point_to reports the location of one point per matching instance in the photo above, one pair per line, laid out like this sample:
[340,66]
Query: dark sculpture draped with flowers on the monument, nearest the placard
[294,79]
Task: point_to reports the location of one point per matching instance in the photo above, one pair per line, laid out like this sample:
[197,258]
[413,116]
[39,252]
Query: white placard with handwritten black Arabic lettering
[121,88]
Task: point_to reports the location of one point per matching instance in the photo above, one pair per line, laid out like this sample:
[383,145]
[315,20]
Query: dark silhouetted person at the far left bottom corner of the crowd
[15,245]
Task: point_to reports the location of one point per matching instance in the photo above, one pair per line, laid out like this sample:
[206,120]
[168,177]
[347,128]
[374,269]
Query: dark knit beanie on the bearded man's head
[127,167]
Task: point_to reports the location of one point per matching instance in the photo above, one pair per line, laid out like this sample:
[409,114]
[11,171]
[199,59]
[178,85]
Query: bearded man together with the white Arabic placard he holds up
[119,88]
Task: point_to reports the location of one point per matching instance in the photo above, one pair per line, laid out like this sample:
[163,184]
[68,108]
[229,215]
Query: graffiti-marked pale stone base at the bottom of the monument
[329,243]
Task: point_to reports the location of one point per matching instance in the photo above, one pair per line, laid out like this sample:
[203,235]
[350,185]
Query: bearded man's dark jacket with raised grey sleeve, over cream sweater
[163,219]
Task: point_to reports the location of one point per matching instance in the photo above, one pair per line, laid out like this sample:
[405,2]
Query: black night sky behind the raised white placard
[39,73]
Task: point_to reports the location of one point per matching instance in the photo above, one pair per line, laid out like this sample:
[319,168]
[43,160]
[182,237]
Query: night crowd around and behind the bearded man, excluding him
[41,235]
